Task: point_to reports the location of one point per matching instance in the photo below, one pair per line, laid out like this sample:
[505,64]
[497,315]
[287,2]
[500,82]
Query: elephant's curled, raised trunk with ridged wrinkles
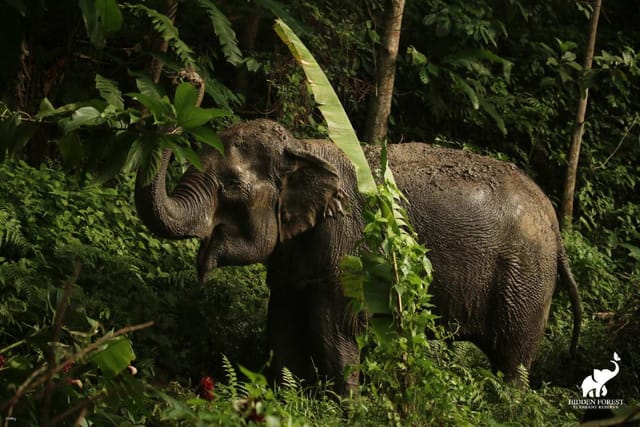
[187,212]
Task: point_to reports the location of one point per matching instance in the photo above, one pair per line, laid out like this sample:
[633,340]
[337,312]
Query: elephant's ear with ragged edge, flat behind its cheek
[310,190]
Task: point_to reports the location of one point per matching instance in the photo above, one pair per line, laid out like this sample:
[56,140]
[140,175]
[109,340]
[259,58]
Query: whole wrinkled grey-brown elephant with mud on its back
[293,205]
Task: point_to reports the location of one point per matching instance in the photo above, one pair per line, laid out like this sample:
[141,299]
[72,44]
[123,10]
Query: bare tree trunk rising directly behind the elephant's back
[380,103]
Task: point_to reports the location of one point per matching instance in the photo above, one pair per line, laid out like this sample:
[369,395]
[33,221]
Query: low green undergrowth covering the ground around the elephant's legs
[51,222]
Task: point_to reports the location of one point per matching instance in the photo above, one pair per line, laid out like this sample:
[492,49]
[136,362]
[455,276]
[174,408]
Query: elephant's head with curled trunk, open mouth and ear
[266,188]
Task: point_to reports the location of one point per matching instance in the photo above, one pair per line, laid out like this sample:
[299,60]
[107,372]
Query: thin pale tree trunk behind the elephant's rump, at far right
[566,210]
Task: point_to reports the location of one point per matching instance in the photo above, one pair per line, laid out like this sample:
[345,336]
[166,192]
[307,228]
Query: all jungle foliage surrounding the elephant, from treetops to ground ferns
[80,112]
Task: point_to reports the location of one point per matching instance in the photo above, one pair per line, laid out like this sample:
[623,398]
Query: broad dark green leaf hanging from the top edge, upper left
[101,17]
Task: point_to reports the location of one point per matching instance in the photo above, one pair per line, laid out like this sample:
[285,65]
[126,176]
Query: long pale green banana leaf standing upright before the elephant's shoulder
[339,126]
